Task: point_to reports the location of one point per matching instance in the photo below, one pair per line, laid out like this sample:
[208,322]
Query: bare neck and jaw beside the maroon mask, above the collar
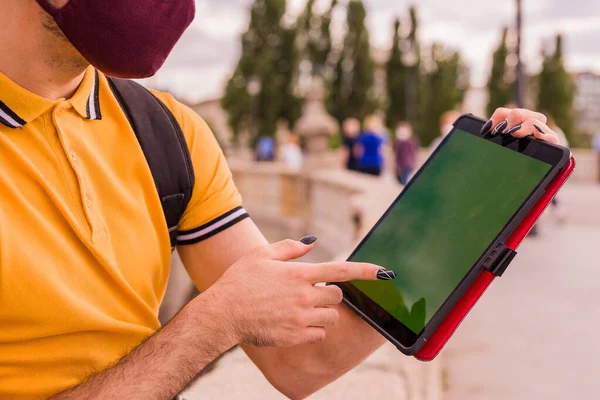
[41,60]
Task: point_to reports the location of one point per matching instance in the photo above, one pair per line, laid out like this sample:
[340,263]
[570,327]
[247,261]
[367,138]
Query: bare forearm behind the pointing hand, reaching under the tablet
[302,370]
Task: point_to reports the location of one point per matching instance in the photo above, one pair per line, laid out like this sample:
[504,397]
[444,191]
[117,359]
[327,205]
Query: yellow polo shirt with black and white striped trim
[84,246]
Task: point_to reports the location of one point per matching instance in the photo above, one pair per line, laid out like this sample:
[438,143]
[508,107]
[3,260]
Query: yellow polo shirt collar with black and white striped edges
[19,106]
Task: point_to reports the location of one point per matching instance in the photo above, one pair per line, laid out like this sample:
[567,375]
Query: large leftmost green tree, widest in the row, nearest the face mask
[270,58]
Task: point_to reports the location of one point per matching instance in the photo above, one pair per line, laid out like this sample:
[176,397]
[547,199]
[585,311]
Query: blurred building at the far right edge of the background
[587,101]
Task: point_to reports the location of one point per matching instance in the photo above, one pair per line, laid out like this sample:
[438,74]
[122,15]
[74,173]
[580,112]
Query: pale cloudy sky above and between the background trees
[201,62]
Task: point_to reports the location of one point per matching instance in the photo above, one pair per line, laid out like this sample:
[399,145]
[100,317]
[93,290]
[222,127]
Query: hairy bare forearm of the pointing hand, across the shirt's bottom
[165,363]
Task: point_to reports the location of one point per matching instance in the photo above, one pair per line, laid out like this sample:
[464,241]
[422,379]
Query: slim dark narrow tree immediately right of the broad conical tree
[396,88]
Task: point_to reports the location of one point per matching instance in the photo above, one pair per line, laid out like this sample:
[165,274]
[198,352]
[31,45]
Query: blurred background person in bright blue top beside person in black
[368,146]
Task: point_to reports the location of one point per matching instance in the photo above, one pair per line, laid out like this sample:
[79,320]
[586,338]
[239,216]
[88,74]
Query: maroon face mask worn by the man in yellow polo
[124,38]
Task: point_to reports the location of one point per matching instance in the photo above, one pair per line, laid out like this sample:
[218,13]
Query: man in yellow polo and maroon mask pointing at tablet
[84,250]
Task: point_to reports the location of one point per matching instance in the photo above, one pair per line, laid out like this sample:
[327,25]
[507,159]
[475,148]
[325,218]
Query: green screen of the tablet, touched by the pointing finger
[444,222]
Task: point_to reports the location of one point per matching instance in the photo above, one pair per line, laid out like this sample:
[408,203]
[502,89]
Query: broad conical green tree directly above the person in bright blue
[351,92]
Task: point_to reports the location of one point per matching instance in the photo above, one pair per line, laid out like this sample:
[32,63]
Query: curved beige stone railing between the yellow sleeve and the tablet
[330,203]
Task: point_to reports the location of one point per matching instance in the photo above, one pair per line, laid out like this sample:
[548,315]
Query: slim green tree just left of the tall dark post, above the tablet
[501,82]
